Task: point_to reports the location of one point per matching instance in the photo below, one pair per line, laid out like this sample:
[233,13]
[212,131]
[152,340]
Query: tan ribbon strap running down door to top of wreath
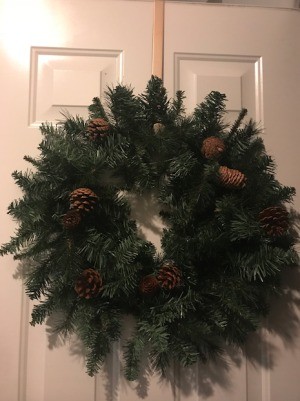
[158,38]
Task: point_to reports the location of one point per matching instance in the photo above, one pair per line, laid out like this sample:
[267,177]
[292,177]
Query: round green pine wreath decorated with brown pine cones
[227,236]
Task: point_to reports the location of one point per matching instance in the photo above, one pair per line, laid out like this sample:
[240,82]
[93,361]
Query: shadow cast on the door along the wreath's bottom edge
[283,322]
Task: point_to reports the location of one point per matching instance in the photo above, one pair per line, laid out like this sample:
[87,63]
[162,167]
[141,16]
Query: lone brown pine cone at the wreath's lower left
[88,284]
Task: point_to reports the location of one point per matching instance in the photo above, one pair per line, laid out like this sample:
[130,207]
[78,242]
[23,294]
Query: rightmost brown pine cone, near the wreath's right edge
[274,220]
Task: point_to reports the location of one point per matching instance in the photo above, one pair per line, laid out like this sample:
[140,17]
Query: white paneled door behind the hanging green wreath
[58,54]
